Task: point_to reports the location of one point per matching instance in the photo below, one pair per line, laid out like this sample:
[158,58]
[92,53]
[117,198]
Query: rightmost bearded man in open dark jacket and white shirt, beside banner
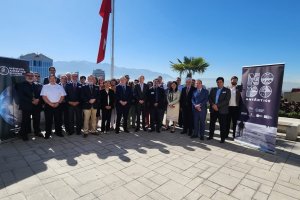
[234,106]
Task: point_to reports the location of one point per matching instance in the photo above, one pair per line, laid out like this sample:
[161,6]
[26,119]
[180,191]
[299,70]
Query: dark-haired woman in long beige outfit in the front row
[173,97]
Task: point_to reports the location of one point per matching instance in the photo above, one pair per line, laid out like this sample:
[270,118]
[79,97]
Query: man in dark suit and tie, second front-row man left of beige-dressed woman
[140,95]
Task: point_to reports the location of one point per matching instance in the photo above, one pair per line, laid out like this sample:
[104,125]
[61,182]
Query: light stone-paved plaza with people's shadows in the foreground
[146,166]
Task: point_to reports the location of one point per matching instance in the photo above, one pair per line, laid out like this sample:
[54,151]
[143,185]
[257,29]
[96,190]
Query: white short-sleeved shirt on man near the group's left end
[53,92]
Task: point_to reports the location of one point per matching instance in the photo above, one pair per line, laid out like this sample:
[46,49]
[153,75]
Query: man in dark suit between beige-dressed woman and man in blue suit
[186,106]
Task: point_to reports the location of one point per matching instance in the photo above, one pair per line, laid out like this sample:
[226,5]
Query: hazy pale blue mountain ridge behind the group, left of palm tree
[86,68]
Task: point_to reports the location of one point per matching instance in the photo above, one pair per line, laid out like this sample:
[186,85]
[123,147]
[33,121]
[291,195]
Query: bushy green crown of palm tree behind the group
[190,66]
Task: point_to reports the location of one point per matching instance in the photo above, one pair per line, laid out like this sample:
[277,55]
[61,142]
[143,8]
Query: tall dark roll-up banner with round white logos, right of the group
[257,125]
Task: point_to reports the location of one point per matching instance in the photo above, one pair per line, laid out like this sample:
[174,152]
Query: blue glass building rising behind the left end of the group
[38,63]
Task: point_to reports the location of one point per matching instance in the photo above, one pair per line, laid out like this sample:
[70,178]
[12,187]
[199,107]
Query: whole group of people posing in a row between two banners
[77,104]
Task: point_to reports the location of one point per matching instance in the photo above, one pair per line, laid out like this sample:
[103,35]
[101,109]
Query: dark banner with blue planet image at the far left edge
[11,73]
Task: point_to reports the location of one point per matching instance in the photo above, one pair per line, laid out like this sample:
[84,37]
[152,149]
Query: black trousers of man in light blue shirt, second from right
[223,124]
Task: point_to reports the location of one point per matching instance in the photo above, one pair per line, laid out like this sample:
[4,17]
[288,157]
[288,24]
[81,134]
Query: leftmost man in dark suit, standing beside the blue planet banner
[28,98]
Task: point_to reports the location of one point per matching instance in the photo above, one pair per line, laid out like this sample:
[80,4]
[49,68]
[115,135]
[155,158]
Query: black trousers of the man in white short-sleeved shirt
[50,114]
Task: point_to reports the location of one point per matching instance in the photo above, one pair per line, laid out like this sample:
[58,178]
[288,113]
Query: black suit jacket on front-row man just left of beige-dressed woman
[151,97]
